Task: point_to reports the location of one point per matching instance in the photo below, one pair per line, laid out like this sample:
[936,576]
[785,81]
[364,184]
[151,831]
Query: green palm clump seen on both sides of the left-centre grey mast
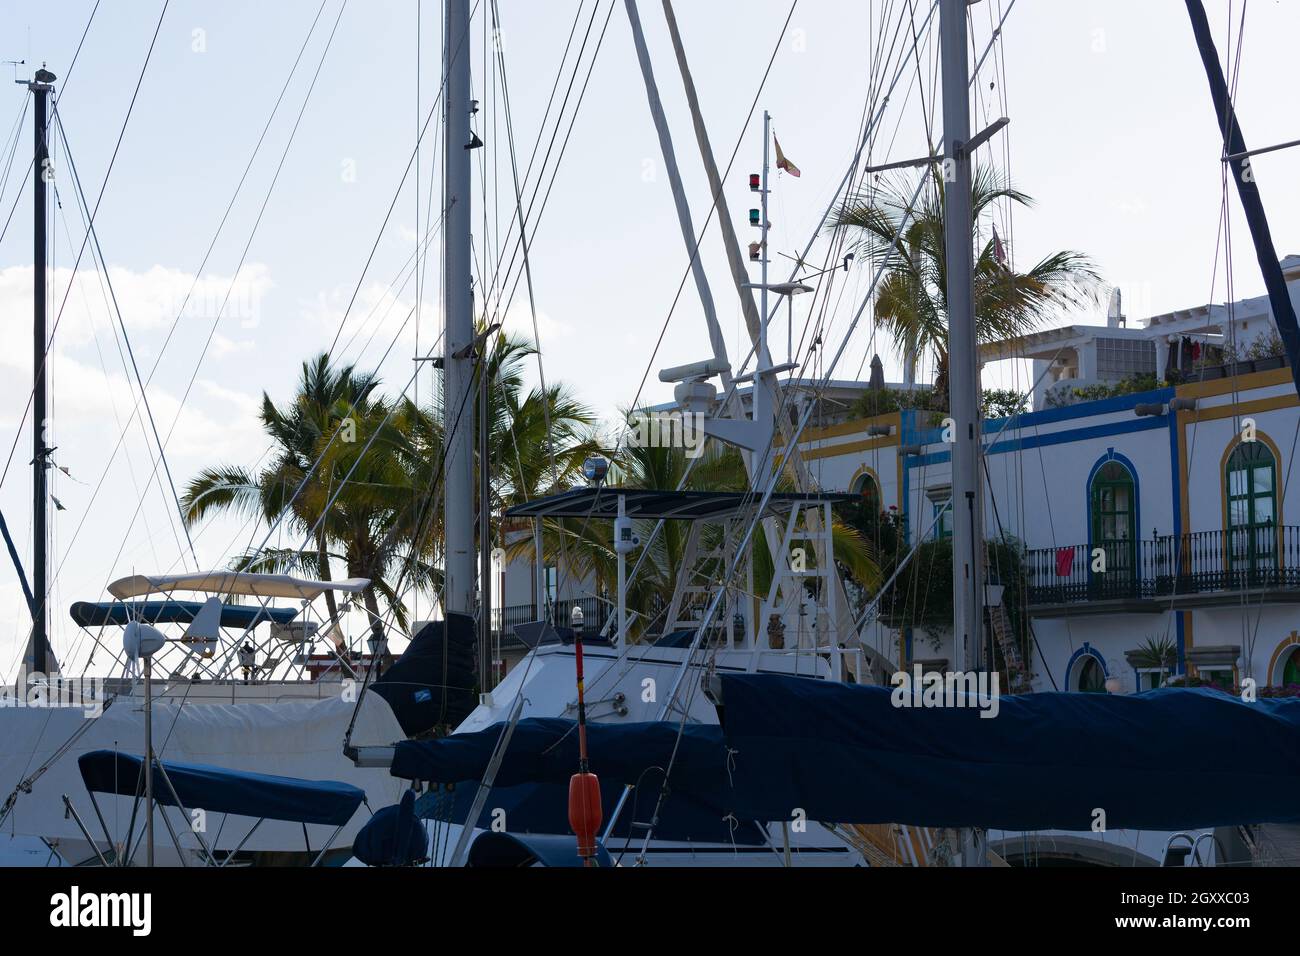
[363,475]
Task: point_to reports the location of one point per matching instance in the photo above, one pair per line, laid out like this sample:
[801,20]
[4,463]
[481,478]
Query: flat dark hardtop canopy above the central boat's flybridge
[690,507]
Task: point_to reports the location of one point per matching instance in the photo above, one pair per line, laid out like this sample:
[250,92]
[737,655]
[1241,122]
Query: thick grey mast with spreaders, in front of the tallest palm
[964,392]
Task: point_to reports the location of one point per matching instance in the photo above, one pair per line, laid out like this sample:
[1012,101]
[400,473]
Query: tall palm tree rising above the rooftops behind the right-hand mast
[912,299]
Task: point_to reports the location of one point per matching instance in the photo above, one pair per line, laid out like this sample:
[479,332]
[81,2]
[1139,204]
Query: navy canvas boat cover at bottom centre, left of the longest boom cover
[532,781]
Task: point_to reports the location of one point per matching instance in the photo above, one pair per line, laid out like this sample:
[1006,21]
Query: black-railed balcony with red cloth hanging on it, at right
[1195,570]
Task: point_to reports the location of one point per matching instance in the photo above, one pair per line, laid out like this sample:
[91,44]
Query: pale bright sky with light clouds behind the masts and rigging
[1112,133]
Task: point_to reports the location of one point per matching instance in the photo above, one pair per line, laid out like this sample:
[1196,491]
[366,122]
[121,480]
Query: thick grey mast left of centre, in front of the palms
[458,310]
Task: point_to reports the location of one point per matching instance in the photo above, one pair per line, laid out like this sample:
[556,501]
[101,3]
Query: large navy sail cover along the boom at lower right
[1162,760]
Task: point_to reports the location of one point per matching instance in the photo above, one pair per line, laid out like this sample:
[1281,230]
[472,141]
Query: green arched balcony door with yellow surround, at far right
[1253,508]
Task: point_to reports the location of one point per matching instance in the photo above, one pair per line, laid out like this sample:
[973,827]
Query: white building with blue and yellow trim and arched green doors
[1149,517]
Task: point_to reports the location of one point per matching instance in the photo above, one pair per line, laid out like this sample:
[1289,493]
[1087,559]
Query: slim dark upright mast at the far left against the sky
[41,89]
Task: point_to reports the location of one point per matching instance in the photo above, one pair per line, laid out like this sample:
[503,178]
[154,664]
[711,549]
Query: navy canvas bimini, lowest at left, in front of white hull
[219,790]
